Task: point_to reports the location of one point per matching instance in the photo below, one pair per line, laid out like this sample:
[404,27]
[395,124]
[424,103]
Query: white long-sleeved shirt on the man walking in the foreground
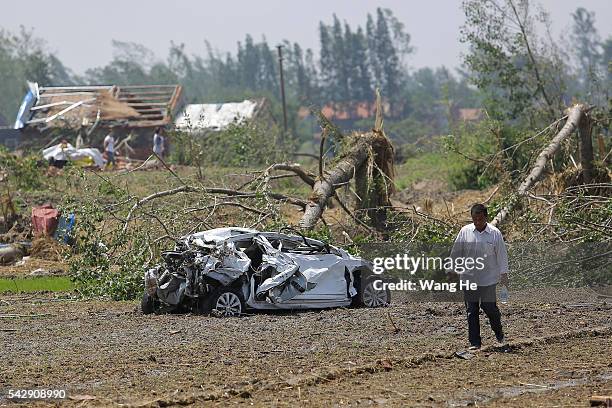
[487,245]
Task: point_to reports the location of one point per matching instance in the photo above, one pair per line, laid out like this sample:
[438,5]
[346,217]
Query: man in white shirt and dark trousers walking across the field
[484,244]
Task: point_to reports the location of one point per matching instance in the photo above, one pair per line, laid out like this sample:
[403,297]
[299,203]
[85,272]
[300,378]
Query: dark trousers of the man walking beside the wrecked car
[483,297]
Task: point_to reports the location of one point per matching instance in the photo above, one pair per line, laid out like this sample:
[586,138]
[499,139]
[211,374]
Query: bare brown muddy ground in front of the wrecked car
[107,353]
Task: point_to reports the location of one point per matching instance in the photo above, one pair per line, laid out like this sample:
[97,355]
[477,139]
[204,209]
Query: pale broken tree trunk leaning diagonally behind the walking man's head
[576,115]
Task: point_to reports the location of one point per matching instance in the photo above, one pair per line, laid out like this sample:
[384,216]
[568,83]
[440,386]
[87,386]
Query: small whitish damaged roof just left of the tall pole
[217,116]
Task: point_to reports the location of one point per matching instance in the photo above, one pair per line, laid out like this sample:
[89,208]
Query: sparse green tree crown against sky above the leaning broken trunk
[509,62]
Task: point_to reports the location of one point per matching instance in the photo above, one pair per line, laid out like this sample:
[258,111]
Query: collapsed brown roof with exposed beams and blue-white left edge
[76,106]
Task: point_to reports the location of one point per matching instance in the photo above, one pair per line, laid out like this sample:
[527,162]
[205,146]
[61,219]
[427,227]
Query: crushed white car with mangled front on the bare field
[231,270]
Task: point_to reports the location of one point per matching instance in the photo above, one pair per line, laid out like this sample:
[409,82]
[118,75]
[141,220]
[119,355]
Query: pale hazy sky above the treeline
[80,32]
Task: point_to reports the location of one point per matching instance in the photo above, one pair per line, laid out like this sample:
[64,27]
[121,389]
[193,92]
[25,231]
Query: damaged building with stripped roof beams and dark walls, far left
[52,113]
